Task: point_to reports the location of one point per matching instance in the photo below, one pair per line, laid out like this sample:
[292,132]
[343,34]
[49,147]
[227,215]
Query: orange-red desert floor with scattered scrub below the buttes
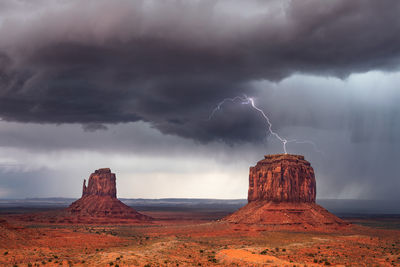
[187,238]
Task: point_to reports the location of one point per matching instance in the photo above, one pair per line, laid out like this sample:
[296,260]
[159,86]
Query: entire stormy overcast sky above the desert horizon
[130,85]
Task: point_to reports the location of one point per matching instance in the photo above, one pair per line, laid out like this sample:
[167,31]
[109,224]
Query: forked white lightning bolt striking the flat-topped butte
[250,101]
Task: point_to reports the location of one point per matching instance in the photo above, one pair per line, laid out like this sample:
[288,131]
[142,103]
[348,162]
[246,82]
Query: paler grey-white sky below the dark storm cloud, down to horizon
[355,123]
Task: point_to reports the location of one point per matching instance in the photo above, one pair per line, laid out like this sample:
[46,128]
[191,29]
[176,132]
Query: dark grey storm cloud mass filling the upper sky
[170,62]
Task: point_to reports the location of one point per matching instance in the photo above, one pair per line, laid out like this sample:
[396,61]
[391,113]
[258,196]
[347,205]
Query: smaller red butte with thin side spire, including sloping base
[99,201]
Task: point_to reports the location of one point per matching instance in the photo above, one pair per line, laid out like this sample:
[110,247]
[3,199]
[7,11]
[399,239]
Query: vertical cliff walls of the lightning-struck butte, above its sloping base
[282,178]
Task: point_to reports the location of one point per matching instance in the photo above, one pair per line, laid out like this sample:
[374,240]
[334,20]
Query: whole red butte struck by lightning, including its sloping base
[282,191]
